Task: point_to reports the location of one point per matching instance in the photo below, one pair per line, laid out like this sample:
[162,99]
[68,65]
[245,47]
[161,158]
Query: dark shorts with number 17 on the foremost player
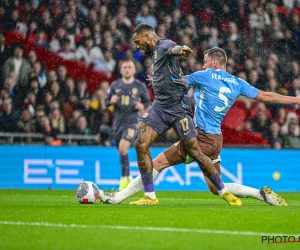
[162,120]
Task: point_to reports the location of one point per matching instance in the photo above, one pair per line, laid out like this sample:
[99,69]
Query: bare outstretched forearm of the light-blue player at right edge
[276,98]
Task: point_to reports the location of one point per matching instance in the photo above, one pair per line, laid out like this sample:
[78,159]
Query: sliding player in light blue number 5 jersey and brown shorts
[215,93]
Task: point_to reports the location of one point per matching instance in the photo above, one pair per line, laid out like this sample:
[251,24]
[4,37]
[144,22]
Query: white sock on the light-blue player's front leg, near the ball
[134,187]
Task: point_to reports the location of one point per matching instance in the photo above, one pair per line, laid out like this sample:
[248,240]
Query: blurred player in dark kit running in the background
[127,97]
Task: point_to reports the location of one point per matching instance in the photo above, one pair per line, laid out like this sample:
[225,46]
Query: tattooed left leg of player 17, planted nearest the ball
[146,136]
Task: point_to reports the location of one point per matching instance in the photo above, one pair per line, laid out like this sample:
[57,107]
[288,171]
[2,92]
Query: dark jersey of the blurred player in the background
[124,109]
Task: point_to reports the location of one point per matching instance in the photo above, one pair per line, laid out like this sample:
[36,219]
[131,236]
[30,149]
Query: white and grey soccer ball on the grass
[87,192]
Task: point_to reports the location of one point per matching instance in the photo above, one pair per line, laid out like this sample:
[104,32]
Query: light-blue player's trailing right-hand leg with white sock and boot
[265,194]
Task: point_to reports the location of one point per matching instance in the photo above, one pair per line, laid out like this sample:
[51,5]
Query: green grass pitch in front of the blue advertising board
[183,220]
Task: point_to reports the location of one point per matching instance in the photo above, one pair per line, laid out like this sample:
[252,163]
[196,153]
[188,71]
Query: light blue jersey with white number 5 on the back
[215,93]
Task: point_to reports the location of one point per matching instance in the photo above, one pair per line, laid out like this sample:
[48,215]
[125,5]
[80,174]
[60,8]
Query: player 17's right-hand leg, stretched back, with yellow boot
[192,147]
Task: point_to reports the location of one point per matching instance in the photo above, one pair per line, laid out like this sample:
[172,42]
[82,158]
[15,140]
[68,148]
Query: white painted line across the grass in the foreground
[165,229]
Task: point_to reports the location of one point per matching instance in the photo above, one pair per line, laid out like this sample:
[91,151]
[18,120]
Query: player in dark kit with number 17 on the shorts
[170,109]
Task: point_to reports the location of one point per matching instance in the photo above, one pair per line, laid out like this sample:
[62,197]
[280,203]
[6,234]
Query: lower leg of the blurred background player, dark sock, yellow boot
[123,153]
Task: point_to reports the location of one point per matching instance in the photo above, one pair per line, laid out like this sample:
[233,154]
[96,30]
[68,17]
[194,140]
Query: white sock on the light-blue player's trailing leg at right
[243,191]
